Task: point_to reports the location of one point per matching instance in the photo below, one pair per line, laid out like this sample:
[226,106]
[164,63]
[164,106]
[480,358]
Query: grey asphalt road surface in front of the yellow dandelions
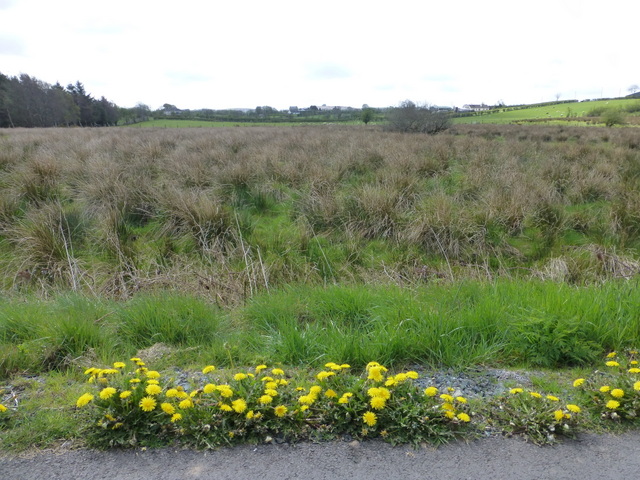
[589,457]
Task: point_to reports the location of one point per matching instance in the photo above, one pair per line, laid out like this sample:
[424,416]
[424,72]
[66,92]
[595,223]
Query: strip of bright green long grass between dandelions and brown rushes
[509,323]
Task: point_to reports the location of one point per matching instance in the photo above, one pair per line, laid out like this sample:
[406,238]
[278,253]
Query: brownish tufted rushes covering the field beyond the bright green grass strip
[177,207]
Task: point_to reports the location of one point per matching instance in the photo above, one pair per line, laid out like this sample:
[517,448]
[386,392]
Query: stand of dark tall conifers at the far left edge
[26,101]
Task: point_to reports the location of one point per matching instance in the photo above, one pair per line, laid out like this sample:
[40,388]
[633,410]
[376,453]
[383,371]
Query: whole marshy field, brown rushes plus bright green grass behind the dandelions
[494,245]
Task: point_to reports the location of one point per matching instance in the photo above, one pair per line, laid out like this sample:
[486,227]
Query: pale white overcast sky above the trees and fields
[246,53]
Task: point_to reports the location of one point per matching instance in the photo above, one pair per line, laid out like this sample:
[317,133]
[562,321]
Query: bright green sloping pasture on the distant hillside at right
[569,113]
